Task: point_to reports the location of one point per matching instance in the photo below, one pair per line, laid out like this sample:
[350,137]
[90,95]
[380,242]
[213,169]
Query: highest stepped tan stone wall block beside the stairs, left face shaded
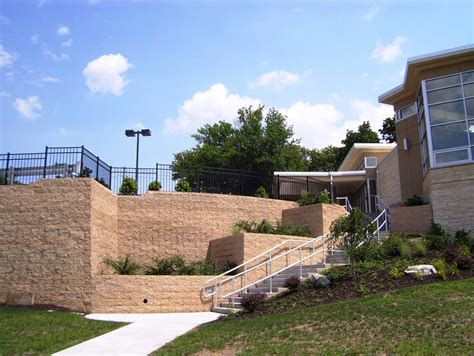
[317,217]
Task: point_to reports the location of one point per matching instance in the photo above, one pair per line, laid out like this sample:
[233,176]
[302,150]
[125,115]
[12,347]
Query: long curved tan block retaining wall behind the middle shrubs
[161,224]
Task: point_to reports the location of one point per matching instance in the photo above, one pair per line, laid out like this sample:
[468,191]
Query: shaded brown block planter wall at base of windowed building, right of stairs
[411,219]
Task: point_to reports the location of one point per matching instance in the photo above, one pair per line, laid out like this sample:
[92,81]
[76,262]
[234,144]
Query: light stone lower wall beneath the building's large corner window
[452,196]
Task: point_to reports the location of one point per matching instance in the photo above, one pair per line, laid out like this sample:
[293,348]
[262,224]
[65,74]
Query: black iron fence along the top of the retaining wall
[63,162]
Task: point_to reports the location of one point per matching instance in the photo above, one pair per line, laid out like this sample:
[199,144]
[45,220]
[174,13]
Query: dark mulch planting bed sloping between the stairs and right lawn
[371,282]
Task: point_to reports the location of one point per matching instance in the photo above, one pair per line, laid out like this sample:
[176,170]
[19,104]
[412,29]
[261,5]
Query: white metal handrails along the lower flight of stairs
[217,286]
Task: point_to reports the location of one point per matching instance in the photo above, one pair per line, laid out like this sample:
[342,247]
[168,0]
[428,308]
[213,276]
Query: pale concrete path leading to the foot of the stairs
[147,333]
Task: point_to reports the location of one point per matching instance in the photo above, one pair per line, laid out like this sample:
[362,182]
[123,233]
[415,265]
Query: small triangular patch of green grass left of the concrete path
[28,331]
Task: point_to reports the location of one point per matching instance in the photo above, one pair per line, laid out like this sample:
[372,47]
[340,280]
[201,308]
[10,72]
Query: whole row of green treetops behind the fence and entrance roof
[263,143]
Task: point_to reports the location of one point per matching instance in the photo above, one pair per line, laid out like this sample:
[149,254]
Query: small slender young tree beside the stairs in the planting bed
[352,230]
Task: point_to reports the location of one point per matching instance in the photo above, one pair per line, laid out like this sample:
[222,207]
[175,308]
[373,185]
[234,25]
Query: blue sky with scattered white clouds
[81,72]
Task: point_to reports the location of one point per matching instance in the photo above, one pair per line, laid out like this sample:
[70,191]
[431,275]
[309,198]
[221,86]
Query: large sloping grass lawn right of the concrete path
[431,319]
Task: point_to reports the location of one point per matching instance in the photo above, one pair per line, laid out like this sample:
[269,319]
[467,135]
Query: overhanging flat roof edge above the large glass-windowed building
[427,61]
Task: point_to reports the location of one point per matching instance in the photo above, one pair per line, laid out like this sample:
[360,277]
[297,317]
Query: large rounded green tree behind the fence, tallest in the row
[256,142]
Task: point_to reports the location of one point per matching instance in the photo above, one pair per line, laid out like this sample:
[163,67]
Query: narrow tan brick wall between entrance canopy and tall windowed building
[389,179]
